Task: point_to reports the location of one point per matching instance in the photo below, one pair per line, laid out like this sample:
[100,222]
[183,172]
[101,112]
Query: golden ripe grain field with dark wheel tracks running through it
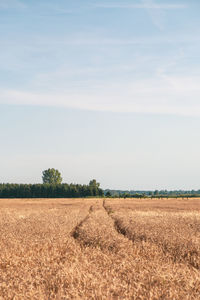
[99,249]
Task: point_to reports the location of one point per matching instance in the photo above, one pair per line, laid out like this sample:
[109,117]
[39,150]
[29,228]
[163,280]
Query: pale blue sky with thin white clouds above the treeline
[101,89]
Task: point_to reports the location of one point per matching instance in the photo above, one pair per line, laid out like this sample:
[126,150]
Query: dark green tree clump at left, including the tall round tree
[52,187]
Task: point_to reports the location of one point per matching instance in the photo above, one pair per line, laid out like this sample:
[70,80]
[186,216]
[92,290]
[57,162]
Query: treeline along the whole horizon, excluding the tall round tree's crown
[65,190]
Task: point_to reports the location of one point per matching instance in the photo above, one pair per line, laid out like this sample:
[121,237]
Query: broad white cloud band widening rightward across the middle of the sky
[168,95]
